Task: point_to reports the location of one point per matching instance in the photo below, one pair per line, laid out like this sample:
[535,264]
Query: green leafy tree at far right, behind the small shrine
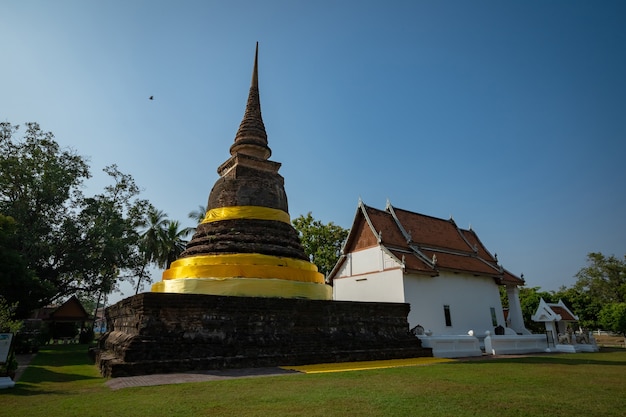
[604,278]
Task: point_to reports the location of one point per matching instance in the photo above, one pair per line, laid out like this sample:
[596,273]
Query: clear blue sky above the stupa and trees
[508,115]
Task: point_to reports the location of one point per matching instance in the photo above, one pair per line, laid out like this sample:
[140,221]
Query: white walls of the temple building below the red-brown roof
[373,275]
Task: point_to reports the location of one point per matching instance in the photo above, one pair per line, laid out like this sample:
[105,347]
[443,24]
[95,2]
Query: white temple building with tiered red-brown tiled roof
[445,272]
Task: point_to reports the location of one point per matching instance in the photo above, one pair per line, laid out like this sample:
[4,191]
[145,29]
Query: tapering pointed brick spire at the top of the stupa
[251,138]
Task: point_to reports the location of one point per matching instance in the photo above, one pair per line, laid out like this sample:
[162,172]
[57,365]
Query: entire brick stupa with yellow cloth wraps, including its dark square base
[243,293]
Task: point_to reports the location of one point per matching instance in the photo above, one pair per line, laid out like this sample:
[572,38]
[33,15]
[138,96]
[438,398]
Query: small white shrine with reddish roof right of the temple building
[561,328]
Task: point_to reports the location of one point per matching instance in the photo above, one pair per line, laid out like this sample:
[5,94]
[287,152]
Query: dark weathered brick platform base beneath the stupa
[162,333]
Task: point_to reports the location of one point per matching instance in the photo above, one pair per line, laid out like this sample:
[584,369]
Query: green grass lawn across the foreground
[61,382]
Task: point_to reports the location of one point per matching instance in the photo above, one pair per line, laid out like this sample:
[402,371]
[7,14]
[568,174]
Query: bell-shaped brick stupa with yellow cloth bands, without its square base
[246,245]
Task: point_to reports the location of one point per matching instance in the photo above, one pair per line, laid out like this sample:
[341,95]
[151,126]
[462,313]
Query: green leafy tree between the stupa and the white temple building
[321,242]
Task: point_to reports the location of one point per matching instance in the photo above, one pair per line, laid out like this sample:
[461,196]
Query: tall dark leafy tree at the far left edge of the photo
[40,189]
